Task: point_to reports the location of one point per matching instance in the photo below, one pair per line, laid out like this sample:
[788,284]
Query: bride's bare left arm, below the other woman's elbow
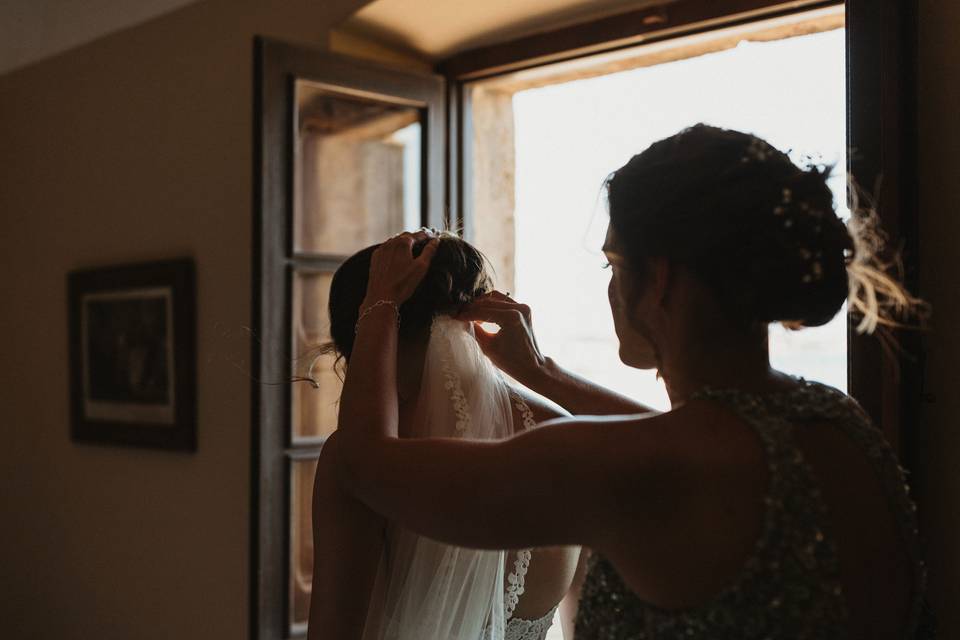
[347,545]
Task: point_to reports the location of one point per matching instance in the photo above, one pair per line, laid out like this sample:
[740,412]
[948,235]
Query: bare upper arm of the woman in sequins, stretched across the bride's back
[565,483]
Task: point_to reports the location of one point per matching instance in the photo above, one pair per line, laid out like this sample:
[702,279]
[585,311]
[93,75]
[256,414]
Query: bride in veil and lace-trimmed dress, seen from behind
[422,589]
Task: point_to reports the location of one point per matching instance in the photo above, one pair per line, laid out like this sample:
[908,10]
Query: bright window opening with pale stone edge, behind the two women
[572,123]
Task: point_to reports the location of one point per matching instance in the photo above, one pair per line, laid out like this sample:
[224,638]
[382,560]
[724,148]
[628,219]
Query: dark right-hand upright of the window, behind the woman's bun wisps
[882,136]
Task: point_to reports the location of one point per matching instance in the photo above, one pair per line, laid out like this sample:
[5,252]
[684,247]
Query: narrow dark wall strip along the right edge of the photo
[938,484]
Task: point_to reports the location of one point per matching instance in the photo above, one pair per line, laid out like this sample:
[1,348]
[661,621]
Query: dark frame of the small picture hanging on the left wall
[179,276]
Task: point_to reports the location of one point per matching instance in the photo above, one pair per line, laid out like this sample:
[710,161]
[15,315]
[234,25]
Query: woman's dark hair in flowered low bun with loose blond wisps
[759,231]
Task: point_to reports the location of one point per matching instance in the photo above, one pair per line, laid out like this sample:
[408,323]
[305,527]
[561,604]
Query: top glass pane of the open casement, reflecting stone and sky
[356,170]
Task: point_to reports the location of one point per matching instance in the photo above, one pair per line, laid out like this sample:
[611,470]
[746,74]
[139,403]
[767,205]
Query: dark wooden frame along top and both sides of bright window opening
[881,114]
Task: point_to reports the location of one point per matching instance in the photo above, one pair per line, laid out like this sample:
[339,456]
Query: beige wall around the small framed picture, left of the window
[135,147]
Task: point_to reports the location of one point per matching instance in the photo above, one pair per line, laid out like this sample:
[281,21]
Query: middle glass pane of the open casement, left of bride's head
[313,411]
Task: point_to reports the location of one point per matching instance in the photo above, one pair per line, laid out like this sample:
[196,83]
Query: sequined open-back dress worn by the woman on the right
[789,587]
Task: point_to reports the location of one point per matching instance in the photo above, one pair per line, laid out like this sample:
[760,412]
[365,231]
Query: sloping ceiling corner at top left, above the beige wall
[31,30]
